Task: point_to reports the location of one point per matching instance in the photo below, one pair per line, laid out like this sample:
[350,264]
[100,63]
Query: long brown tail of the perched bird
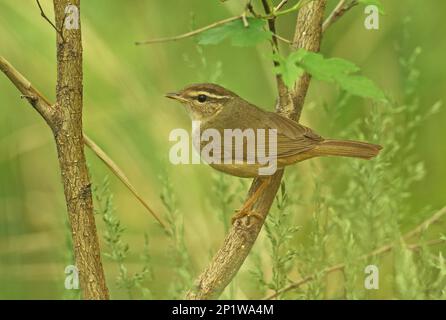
[347,148]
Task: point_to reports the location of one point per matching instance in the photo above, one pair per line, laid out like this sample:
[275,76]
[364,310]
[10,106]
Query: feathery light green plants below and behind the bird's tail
[350,220]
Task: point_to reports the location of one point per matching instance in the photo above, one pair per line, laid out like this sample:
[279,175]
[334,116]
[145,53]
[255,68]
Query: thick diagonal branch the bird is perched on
[240,239]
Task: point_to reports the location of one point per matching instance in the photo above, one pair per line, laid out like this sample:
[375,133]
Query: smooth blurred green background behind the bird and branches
[126,113]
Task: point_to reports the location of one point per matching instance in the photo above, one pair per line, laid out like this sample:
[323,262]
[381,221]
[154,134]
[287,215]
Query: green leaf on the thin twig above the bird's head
[240,35]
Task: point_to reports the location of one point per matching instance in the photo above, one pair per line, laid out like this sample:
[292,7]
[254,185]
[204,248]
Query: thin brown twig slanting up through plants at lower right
[385,248]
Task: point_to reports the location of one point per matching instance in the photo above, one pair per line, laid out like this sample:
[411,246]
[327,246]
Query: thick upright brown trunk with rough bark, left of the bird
[69,140]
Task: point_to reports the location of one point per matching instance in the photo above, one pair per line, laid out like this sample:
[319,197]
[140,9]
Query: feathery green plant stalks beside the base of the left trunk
[118,250]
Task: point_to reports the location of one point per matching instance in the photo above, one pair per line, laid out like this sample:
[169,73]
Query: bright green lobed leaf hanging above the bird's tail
[333,70]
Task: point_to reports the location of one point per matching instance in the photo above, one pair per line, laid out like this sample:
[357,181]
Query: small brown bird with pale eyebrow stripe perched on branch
[218,108]
